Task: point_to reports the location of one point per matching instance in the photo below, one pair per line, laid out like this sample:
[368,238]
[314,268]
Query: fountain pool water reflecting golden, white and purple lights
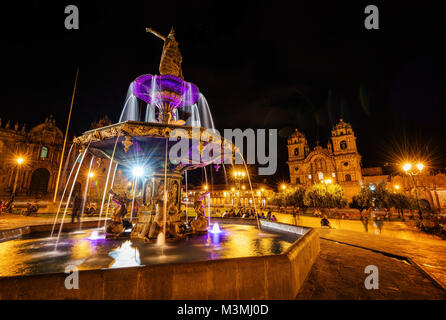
[32,255]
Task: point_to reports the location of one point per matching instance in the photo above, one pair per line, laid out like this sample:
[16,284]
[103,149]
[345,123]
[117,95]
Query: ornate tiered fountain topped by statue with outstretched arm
[131,143]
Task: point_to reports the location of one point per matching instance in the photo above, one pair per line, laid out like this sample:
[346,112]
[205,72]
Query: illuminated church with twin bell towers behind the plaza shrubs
[339,162]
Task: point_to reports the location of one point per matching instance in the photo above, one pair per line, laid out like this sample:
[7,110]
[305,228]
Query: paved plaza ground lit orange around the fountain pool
[411,264]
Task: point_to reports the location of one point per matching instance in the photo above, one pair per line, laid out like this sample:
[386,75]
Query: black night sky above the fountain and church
[260,65]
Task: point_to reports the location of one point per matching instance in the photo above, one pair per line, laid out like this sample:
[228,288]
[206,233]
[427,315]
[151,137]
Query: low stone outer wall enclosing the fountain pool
[266,277]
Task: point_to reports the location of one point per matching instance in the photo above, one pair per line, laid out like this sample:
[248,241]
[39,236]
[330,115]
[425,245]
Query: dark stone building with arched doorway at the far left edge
[40,150]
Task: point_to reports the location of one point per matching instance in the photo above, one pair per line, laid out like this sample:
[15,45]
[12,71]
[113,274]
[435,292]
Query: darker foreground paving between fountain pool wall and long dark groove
[338,273]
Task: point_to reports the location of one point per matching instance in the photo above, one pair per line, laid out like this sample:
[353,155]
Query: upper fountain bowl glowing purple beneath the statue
[162,89]
